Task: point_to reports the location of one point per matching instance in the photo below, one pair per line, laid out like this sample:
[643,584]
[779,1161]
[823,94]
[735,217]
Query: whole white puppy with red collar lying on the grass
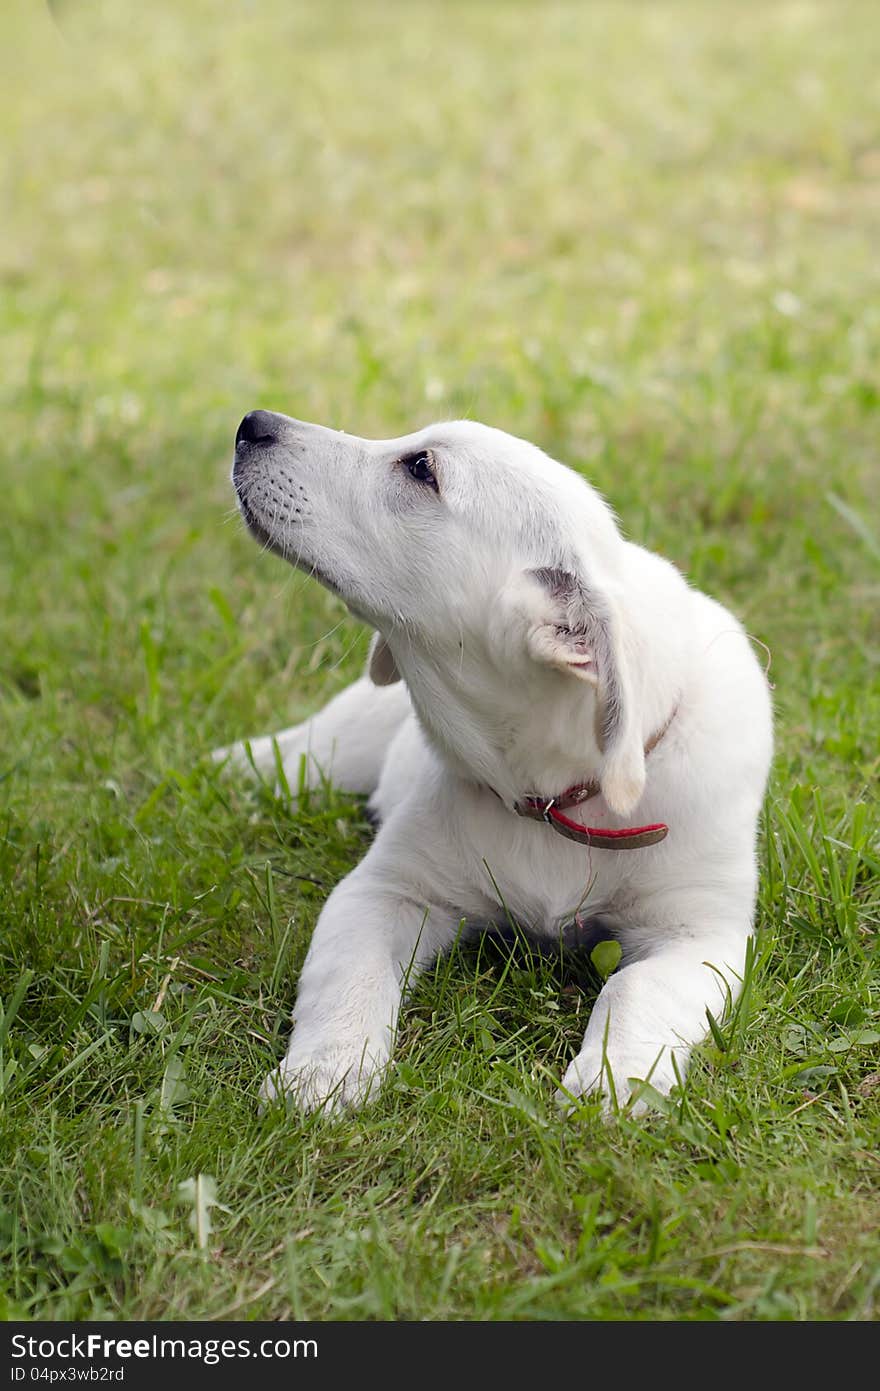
[553,718]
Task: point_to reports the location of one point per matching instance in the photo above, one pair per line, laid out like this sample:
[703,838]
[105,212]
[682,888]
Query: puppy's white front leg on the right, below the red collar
[653,1012]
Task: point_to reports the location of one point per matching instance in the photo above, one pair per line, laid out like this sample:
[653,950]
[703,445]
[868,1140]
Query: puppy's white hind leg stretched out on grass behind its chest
[345,743]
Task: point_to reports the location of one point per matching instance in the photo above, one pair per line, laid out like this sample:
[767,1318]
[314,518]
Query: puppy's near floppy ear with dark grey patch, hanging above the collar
[582,634]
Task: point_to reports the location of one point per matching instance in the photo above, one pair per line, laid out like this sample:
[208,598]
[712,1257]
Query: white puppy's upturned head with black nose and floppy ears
[491,577]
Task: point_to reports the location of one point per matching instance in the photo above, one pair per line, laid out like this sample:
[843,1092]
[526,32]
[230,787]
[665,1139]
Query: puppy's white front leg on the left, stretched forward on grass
[369,942]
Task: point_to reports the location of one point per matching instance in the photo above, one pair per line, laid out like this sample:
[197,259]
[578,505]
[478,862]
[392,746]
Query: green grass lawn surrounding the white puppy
[643,236]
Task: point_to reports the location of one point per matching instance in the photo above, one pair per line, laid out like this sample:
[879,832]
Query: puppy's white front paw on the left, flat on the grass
[332,1077]
